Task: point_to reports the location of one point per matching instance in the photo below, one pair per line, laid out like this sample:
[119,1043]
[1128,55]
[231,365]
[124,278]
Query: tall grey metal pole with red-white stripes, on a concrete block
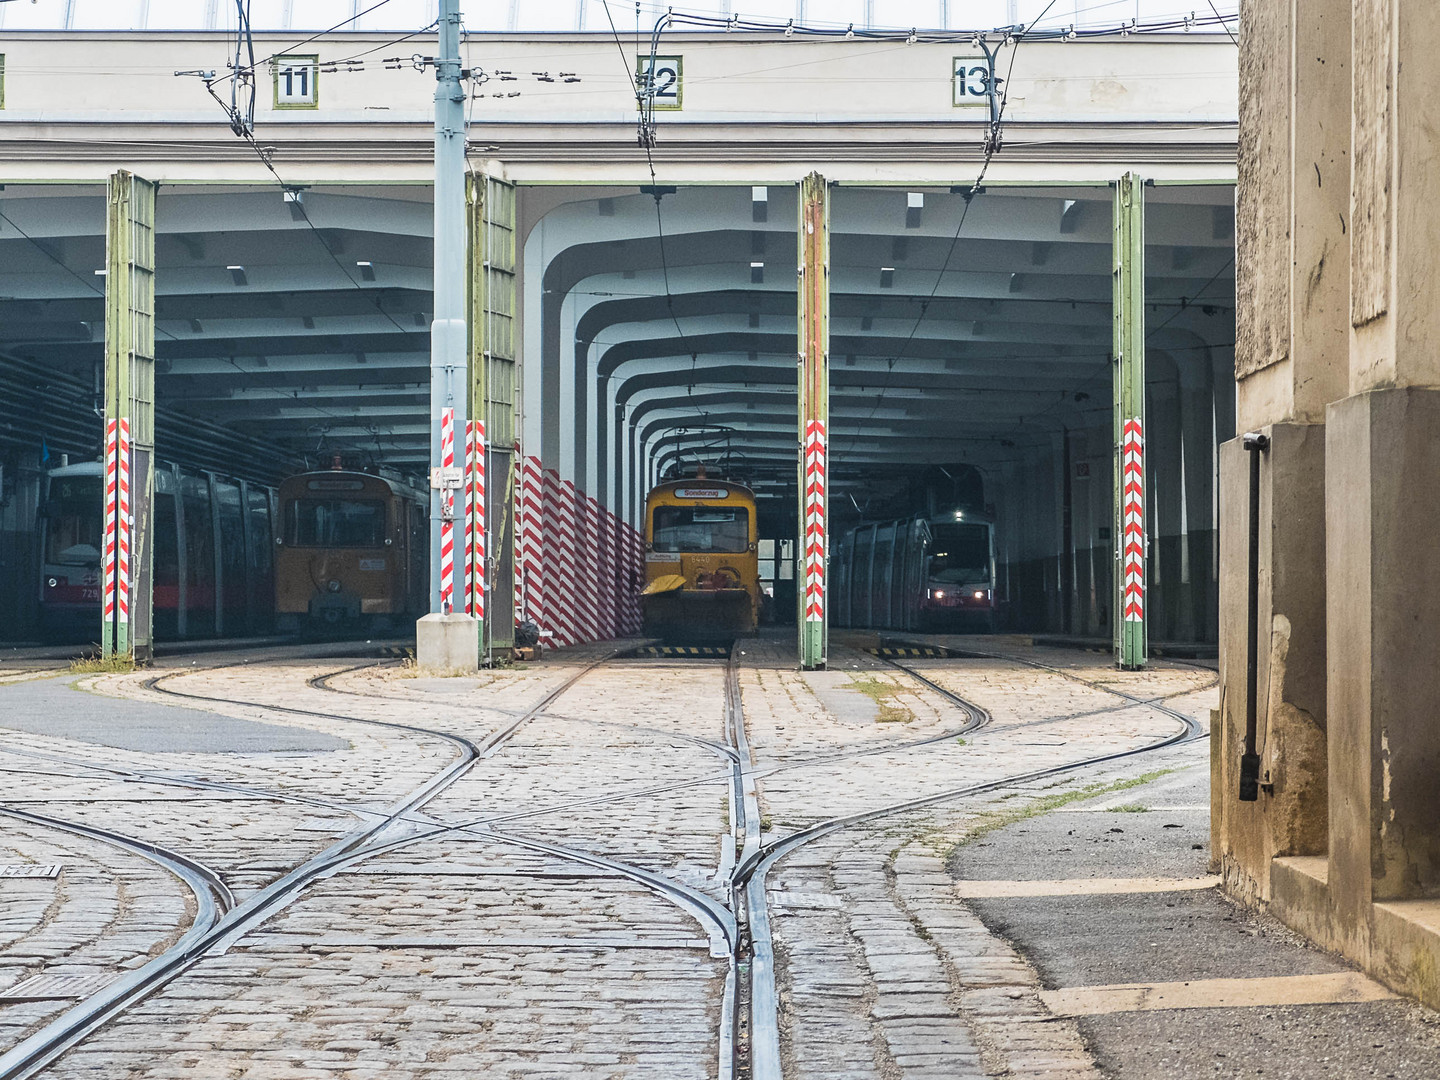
[449,326]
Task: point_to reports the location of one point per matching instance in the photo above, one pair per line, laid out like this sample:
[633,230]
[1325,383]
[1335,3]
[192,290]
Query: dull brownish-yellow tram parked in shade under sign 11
[351,552]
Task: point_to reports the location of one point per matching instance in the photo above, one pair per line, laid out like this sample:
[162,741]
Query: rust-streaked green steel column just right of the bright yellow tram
[814,415]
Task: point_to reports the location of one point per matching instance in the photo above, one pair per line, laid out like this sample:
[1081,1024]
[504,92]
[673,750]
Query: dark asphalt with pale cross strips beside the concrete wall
[1163,830]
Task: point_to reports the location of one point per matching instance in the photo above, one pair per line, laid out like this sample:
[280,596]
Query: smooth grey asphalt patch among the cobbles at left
[57,706]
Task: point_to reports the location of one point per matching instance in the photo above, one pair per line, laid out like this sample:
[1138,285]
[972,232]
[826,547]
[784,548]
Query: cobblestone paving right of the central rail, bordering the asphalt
[885,974]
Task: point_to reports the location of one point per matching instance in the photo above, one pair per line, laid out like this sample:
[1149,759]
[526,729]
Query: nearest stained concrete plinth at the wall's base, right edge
[1383,495]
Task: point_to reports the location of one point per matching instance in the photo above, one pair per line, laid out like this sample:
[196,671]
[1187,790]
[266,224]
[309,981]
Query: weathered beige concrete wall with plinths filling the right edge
[1340,292]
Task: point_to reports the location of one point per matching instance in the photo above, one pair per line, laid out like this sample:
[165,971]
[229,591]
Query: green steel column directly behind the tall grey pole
[493,392]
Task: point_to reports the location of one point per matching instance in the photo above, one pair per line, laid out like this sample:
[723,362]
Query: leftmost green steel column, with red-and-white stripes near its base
[130,404]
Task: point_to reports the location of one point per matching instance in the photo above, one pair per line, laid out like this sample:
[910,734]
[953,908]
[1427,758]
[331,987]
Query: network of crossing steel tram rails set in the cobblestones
[739,930]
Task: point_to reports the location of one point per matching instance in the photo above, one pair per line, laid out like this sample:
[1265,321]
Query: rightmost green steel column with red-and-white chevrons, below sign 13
[1131,640]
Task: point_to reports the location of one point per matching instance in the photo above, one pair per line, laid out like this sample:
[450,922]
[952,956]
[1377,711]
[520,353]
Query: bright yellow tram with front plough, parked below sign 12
[702,572]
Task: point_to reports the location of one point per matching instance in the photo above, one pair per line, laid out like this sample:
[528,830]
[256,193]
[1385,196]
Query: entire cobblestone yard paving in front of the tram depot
[516,925]
